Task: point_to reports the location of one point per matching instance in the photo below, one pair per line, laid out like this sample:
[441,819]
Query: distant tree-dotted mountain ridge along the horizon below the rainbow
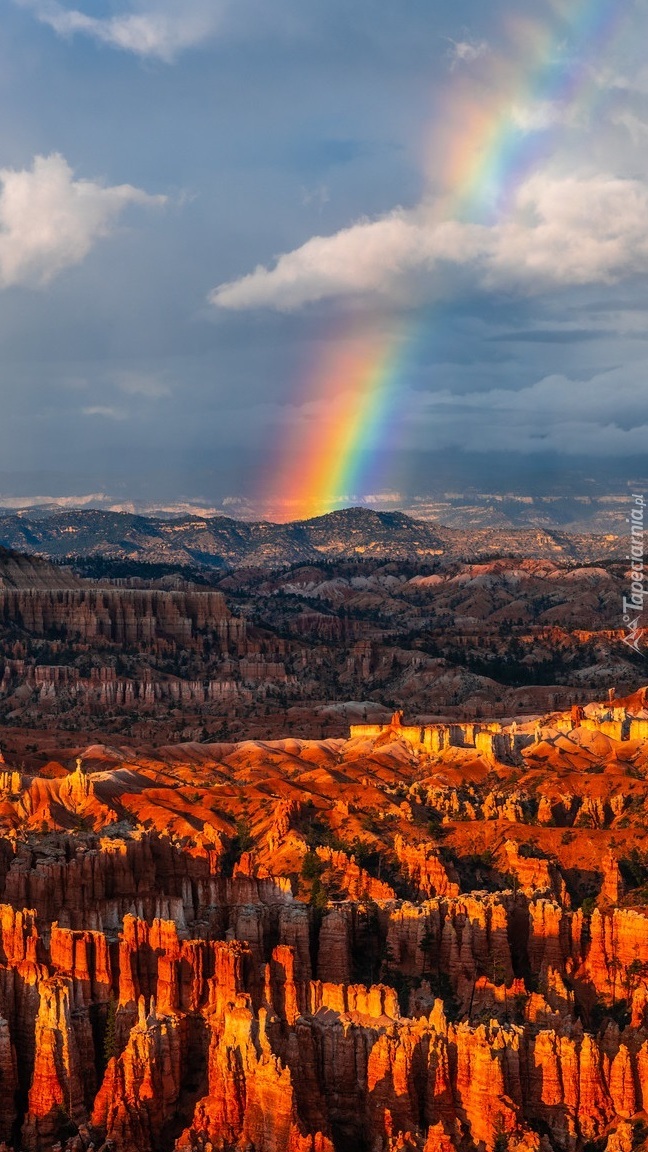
[223,543]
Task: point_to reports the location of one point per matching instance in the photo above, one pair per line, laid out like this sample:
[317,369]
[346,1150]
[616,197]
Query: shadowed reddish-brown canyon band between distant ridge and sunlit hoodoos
[306,649]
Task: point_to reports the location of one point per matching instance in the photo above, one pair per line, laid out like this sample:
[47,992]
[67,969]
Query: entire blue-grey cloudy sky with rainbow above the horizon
[287,257]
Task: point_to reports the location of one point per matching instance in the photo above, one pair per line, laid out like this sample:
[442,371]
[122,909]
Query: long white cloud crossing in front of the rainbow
[561,232]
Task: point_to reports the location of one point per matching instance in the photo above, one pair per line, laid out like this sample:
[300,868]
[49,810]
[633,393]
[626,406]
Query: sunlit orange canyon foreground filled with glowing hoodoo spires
[417,937]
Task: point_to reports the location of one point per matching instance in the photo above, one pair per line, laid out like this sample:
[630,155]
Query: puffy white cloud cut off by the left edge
[49,221]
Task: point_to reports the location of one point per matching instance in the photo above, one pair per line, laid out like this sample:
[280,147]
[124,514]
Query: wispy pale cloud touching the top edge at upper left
[160,31]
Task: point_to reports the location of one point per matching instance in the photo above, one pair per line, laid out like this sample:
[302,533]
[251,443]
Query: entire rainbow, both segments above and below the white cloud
[478,155]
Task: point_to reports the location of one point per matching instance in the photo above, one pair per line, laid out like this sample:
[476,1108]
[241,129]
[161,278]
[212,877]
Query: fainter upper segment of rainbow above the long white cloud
[485,147]
